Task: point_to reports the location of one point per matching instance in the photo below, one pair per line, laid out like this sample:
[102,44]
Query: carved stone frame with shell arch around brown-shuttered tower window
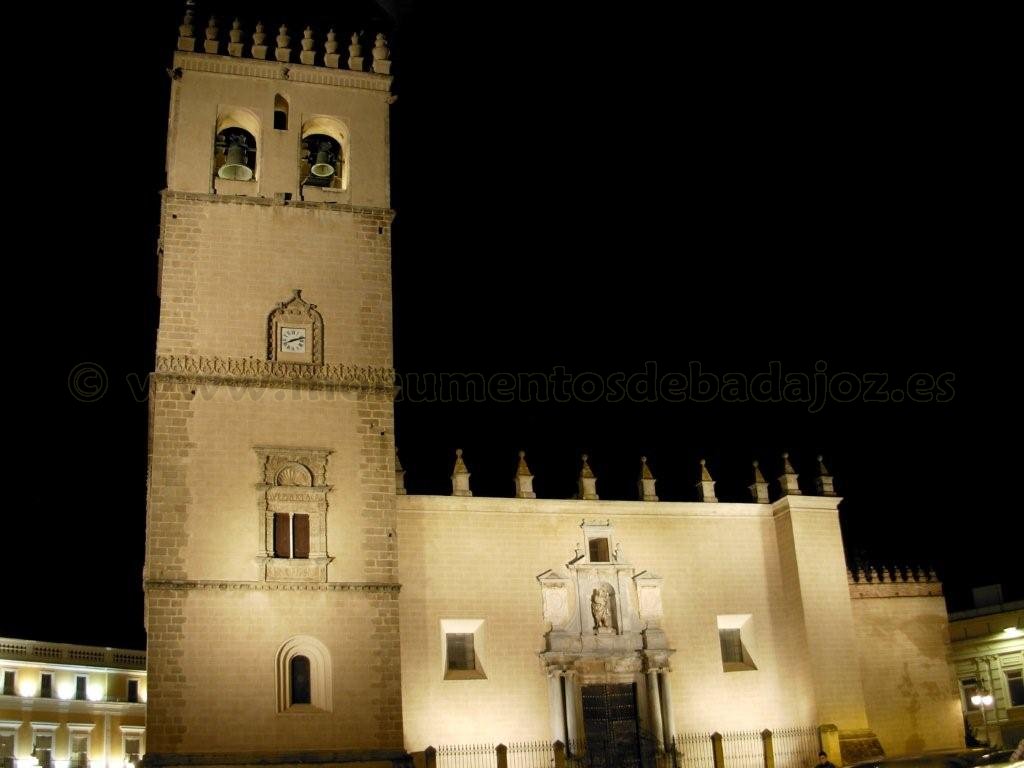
[293,481]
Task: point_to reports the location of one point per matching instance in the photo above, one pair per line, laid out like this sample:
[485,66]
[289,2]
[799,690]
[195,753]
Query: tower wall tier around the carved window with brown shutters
[205,521]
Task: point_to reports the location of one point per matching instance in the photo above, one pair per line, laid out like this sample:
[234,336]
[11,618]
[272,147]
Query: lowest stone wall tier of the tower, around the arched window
[212,662]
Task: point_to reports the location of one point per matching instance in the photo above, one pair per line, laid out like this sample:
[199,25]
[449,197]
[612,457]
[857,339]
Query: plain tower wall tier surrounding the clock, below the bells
[227,264]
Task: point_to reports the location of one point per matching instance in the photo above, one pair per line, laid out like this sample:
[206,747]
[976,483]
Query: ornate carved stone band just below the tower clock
[257,373]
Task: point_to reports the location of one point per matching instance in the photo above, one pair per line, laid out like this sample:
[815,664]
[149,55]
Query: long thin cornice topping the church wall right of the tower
[493,505]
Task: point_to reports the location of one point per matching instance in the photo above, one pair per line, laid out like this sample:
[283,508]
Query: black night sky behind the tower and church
[610,199]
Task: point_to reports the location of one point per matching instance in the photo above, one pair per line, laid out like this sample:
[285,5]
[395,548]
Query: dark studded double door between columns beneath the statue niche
[610,717]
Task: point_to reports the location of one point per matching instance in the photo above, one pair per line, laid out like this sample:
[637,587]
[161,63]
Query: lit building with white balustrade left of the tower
[71,706]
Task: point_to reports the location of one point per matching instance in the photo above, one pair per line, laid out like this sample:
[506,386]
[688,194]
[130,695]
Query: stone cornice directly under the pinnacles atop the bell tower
[292,73]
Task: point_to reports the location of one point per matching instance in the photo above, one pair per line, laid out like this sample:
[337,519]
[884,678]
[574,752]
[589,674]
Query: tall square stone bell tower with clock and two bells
[272,568]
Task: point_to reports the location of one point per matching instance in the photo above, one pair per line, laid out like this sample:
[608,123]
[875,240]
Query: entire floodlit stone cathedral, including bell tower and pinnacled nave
[302,608]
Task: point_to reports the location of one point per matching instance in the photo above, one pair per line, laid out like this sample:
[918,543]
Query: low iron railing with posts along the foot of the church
[786,748]
